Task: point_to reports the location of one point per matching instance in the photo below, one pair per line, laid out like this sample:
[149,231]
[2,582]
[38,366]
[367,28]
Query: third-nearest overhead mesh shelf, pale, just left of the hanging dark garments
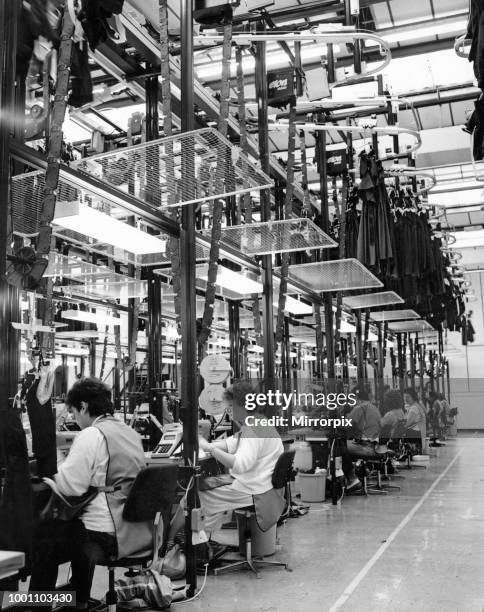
[339,275]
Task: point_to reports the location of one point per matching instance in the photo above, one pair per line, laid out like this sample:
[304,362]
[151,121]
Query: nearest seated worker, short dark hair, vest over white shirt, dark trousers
[105,453]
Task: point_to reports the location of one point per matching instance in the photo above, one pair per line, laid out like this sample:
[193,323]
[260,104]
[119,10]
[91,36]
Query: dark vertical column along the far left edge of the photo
[9,296]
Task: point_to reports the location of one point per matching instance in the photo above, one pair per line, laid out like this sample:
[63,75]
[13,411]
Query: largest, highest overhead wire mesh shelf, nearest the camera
[154,172]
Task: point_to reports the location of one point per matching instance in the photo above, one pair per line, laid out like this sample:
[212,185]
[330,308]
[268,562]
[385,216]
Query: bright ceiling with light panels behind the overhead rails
[435,88]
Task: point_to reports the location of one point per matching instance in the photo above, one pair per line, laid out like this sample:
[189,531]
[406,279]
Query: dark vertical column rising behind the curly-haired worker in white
[265,203]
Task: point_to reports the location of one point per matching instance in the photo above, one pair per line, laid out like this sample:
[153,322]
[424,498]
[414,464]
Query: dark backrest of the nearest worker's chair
[153,491]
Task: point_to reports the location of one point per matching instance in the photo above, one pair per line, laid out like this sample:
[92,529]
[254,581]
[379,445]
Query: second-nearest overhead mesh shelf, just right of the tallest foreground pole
[271,237]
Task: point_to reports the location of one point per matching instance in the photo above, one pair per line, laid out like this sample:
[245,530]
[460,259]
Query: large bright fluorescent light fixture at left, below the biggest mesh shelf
[79,217]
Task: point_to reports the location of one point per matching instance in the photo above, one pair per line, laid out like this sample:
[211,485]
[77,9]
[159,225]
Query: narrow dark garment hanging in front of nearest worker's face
[42,424]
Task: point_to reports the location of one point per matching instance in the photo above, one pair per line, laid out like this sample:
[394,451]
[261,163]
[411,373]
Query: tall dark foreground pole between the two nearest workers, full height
[188,294]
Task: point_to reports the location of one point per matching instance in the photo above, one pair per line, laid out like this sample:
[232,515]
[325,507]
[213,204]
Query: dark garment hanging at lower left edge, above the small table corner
[16,512]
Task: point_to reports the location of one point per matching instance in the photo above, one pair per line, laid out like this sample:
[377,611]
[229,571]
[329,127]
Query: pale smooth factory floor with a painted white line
[420,549]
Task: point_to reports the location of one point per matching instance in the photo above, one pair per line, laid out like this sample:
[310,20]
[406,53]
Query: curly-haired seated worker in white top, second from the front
[251,456]
